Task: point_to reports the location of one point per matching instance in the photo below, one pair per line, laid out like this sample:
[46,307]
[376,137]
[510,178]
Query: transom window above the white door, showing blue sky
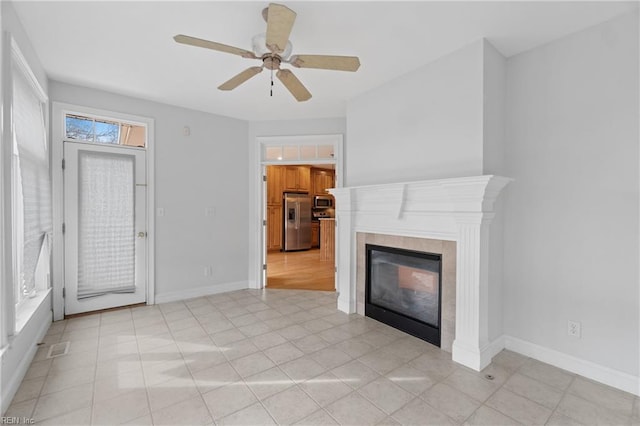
[103,131]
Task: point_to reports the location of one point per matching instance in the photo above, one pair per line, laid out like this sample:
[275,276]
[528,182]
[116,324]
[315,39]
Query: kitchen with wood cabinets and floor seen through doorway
[299,217]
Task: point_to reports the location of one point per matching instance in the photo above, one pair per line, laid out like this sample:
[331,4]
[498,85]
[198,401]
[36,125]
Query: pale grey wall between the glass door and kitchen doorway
[206,169]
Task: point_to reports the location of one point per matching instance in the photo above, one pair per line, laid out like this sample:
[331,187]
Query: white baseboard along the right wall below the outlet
[588,369]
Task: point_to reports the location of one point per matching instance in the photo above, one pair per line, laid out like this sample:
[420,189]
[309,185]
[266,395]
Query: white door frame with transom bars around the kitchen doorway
[260,188]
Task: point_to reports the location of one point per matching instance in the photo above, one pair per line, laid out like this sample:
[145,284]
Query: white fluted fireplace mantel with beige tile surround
[445,213]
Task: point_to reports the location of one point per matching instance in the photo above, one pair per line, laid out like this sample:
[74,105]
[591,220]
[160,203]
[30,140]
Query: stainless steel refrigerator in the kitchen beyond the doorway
[297,221]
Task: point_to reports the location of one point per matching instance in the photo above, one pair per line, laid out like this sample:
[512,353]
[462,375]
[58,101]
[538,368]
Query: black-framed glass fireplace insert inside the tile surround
[403,290]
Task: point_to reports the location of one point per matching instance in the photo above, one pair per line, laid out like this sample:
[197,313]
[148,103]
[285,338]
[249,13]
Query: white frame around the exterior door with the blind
[59,109]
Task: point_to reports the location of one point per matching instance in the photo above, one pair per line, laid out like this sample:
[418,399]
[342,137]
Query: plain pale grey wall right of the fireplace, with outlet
[571,228]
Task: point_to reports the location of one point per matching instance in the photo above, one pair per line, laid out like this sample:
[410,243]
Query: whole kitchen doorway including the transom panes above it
[295,252]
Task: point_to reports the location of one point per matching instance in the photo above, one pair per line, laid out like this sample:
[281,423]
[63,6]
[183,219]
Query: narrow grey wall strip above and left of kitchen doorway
[322,126]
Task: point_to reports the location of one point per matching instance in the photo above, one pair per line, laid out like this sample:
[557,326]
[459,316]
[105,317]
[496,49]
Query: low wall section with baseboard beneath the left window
[21,351]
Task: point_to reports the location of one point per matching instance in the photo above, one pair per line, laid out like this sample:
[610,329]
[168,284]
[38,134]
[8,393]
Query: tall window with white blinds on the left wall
[30,181]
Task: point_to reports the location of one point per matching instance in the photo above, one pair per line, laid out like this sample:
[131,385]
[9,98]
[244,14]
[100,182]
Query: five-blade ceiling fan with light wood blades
[274,48]
